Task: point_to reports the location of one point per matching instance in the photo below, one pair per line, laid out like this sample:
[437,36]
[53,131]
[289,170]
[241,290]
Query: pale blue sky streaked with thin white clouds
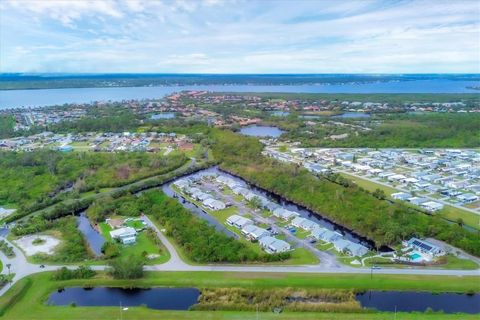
[240,36]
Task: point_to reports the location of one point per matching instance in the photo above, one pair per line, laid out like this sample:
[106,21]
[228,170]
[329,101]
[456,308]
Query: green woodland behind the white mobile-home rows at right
[393,131]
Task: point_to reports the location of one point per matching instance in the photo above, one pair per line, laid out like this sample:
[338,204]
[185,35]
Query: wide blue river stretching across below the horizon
[47,97]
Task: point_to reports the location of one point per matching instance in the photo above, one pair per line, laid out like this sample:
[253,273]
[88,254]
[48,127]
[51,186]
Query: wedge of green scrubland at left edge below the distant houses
[36,180]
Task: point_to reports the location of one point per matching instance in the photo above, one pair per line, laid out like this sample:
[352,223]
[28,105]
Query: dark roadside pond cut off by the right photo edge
[420,301]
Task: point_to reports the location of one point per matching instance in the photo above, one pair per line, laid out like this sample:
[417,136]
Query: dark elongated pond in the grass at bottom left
[155,298]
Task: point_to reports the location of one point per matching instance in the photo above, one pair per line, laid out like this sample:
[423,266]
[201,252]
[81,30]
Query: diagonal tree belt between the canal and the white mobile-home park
[337,198]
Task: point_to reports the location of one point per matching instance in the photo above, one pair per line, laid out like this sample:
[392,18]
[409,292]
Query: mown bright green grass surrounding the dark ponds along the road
[31,304]
